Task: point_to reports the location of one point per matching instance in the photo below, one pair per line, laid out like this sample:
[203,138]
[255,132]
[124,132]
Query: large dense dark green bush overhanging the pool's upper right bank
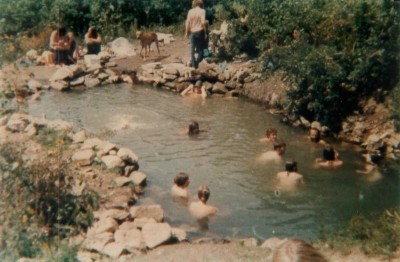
[335,52]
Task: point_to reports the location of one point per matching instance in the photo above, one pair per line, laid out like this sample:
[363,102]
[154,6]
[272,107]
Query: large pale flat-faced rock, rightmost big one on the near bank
[155,234]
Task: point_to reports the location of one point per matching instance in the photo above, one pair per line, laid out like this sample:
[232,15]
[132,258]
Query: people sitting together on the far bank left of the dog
[64,48]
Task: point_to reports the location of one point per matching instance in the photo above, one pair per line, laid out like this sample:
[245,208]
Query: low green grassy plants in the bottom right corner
[377,235]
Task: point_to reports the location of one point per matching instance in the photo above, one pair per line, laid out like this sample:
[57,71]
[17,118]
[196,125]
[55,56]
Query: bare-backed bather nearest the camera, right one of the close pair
[199,209]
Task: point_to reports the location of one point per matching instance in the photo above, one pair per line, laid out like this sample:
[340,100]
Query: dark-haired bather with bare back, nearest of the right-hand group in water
[289,179]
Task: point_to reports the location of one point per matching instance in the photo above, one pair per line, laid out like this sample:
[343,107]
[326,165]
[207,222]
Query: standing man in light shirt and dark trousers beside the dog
[195,26]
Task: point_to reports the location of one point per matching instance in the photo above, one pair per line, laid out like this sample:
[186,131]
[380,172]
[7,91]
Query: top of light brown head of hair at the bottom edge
[297,250]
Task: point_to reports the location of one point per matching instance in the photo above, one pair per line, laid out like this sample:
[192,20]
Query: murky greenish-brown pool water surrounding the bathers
[225,158]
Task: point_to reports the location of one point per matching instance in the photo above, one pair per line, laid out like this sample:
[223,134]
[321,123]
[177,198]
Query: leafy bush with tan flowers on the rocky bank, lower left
[38,205]
